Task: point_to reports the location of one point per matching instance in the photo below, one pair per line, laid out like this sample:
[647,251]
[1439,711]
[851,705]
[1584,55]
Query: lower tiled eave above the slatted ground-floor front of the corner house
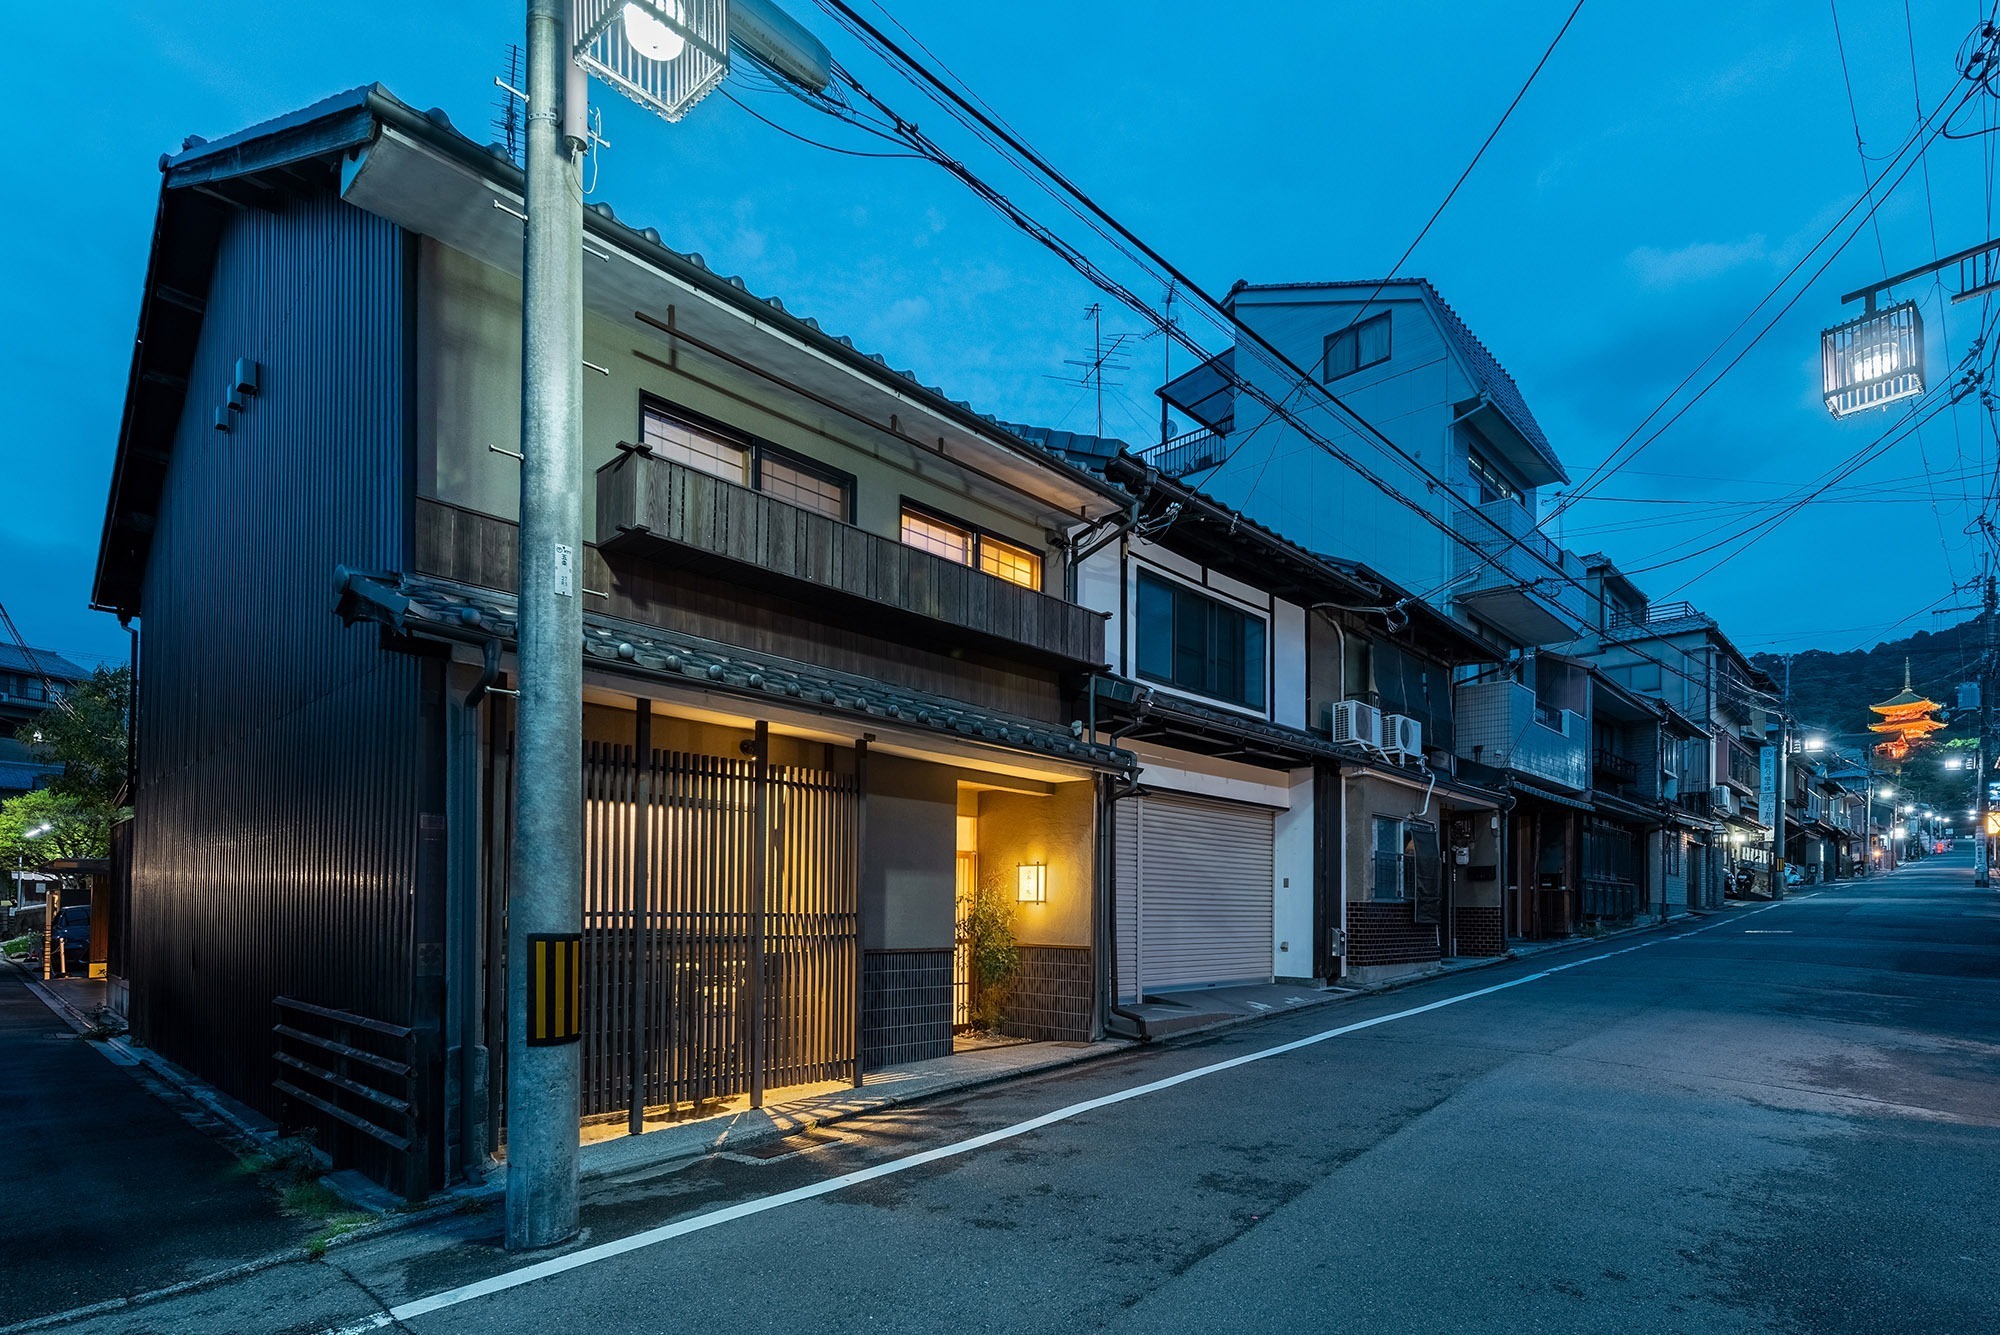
[443,609]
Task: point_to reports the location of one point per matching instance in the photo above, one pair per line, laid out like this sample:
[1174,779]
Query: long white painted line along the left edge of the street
[729,1214]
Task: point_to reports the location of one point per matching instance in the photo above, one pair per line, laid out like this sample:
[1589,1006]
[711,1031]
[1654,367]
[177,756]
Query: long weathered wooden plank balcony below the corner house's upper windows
[677,515]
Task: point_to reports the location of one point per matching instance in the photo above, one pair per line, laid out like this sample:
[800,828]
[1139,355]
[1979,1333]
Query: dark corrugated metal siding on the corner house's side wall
[277,812]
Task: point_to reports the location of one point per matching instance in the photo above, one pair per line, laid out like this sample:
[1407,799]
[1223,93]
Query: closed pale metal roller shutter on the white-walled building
[1193,896]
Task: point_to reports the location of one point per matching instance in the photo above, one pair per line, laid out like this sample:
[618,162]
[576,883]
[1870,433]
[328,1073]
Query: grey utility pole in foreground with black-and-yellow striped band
[545,890]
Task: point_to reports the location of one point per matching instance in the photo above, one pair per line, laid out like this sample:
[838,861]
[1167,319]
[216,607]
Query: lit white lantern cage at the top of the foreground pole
[665,55]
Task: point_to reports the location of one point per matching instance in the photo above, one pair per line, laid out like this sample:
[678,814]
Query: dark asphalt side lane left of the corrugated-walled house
[111,1190]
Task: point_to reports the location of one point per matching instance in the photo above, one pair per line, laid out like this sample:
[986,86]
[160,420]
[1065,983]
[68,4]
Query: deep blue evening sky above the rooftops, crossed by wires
[1659,179]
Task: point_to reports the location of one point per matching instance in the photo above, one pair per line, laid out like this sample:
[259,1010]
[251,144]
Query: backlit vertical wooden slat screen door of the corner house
[671,932]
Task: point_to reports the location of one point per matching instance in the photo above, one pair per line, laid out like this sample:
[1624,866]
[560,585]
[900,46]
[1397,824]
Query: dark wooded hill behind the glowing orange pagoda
[1833,690]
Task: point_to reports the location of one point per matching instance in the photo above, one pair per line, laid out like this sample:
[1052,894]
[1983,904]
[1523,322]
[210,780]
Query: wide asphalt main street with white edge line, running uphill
[1771,1120]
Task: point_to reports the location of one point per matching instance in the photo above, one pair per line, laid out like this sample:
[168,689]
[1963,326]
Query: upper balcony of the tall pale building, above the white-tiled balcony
[1513,577]
